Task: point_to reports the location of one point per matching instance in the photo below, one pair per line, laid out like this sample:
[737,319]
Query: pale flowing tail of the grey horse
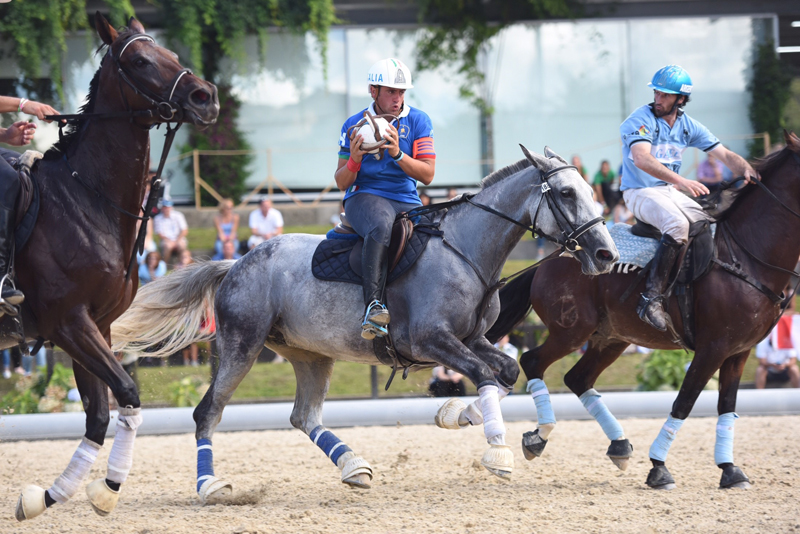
[171,312]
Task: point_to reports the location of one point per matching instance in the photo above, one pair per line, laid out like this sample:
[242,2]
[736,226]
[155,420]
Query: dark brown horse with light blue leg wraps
[731,316]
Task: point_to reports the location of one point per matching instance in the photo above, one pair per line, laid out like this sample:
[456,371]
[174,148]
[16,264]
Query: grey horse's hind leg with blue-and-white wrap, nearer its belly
[313,379]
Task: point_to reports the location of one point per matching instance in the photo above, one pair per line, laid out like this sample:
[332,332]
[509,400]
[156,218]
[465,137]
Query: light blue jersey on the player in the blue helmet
[666,144]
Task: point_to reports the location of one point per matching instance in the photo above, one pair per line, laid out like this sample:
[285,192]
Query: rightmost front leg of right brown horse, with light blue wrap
[729,375]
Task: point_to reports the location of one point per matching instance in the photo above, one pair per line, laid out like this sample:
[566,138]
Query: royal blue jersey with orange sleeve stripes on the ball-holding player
[384,177]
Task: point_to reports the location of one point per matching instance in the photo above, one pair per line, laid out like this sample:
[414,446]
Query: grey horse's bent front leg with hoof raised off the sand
[454,414]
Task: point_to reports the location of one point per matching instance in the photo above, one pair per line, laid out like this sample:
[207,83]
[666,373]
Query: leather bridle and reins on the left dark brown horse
[163,111]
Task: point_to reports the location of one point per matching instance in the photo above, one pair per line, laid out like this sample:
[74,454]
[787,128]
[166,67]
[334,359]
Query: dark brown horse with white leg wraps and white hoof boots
[73,268]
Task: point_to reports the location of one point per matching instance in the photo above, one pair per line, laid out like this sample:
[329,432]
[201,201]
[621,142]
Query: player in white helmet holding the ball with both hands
[378,188]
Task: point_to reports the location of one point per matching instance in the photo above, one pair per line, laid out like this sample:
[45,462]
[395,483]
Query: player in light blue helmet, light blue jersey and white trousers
[653,140]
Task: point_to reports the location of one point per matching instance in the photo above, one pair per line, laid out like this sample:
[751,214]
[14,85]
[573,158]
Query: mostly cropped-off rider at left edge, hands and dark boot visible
[18,134]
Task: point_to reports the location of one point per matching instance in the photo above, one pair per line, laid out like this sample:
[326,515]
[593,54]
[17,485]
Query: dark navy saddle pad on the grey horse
[331,260]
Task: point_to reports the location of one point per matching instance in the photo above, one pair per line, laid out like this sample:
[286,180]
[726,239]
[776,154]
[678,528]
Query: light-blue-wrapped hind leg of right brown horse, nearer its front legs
[581,378]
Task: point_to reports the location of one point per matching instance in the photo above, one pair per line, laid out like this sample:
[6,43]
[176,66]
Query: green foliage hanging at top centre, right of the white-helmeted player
[458,31]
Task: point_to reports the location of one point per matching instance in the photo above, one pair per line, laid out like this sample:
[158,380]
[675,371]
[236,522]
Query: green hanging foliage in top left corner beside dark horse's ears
[38,29]
